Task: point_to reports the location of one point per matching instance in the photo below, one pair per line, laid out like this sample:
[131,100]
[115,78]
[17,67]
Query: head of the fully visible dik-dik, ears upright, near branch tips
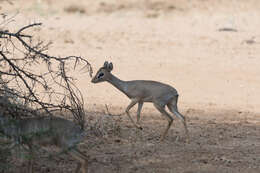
[103,73]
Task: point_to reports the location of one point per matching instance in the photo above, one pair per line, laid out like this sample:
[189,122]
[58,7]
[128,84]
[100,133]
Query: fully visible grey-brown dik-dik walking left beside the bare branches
[140,91]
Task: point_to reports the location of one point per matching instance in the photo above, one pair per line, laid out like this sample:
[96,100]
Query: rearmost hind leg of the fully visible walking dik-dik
[174,109]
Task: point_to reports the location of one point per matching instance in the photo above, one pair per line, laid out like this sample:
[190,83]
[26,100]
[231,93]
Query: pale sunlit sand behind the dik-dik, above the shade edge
[173,41]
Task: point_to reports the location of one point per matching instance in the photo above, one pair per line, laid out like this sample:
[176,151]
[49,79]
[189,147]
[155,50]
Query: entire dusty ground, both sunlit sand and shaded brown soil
[177,42]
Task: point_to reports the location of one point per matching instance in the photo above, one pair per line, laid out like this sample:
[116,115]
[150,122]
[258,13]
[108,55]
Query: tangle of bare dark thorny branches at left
[32,82]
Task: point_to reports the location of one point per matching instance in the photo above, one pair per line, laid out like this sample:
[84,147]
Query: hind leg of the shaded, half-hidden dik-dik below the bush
[82,158]
